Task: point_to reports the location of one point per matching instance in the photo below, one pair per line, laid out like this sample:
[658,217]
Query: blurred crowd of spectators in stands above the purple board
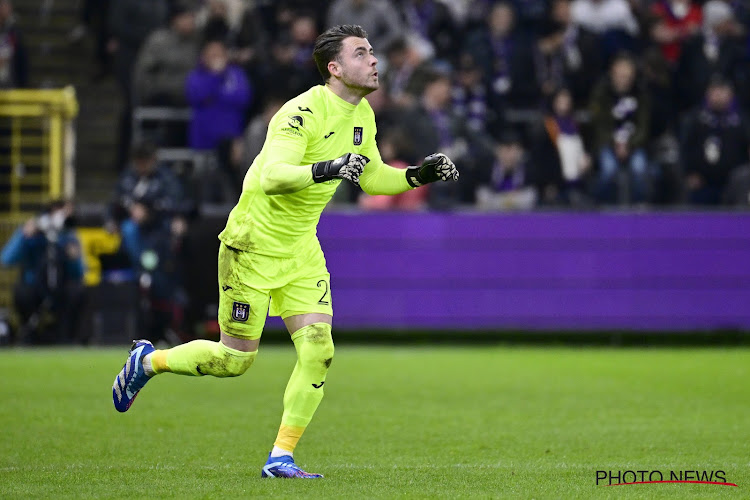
[539,102]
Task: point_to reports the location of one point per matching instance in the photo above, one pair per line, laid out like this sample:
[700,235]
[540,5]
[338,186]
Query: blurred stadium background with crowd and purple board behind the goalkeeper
[603,147]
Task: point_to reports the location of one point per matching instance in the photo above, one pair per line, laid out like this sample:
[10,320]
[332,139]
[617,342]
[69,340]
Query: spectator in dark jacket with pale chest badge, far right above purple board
[714,143]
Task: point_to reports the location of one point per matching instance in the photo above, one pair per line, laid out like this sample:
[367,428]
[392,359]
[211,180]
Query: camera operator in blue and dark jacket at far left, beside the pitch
[49,293]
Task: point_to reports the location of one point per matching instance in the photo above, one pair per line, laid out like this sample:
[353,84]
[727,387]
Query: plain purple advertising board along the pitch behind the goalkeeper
[539,271]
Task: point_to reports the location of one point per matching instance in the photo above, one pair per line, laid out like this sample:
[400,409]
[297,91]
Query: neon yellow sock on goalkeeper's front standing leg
[304,391]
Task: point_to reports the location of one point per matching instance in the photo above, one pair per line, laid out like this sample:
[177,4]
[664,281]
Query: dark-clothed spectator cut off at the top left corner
[14,62]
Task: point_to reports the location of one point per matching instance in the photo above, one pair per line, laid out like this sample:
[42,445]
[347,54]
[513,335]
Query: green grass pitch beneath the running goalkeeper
[396,422]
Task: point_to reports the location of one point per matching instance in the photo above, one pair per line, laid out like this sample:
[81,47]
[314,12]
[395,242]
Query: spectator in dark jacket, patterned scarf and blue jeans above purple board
[619,119]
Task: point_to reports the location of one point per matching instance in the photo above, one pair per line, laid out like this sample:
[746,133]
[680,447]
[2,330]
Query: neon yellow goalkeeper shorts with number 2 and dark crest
[253,286]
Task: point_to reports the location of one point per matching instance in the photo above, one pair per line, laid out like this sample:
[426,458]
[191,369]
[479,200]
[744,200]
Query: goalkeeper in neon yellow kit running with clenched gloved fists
[270,260]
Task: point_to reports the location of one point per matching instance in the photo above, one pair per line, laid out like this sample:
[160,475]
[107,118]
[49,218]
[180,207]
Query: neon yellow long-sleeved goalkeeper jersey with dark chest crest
[314,126]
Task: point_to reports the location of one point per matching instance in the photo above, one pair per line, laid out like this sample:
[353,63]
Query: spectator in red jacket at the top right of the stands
[674,21]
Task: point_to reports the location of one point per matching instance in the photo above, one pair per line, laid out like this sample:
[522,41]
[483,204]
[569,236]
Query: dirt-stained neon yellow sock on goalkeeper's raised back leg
[202,357]
